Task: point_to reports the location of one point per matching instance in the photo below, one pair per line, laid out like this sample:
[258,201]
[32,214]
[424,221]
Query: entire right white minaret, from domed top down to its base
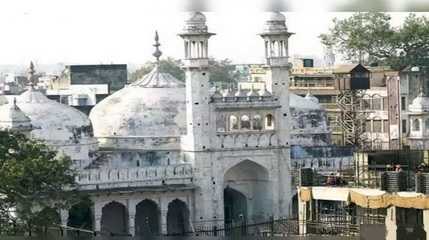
[276,38]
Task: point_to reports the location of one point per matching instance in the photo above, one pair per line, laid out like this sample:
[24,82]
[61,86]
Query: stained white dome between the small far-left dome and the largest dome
[53,122]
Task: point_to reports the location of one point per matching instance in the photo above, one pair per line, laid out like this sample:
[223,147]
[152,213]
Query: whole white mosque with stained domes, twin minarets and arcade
[166,156]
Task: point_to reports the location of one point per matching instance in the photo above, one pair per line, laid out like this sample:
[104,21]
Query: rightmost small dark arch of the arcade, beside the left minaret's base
[177,218]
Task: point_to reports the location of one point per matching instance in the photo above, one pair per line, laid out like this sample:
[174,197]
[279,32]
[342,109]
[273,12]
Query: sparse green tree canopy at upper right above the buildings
[370,38]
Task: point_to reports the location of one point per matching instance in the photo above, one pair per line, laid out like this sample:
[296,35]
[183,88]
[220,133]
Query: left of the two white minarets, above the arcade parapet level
[196,65]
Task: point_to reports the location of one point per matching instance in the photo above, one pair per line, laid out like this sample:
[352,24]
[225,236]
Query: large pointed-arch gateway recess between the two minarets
[247,193]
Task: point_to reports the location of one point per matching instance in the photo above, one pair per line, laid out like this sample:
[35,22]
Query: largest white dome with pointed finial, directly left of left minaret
[152,107]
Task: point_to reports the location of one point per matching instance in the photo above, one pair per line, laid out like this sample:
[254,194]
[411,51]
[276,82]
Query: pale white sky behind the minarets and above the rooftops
[113,31]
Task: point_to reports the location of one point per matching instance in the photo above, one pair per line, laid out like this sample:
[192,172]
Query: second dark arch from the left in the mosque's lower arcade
[114,219]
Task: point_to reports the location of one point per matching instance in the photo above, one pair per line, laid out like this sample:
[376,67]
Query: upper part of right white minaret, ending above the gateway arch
[276,38]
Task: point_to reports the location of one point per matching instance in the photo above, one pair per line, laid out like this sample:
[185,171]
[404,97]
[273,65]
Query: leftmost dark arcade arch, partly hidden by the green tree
[80,215]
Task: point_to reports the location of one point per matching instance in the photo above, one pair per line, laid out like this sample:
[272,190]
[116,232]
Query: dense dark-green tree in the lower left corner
[33,178]
